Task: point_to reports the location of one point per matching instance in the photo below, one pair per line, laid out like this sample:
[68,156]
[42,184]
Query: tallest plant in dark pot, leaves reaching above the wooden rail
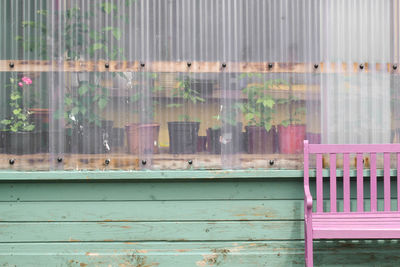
[85,97]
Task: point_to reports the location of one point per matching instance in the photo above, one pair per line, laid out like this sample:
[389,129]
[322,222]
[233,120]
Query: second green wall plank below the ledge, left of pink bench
[230,210]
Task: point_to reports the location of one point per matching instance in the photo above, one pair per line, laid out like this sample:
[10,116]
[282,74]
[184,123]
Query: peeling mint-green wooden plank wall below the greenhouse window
[166,219]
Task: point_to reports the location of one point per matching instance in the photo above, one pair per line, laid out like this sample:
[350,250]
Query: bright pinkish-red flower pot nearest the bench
[291,138]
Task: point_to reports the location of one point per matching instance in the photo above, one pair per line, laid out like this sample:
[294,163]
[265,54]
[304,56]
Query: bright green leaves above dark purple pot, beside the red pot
[260,105]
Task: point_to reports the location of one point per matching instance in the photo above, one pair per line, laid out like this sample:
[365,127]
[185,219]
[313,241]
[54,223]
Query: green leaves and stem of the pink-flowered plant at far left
[18,121]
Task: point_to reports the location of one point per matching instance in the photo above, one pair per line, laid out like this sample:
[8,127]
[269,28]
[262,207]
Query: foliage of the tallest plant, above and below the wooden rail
[77,39]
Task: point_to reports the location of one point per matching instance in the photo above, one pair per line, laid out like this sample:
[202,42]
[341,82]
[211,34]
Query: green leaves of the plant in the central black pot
[188,94]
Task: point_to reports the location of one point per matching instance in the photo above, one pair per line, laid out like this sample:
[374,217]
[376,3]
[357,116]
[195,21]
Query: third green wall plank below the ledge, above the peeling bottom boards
[150,231]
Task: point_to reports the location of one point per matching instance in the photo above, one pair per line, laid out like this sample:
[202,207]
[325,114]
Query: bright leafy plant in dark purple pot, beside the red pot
[258,111]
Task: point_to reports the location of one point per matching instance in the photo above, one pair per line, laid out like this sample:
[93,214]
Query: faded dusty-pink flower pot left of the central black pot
[142,138]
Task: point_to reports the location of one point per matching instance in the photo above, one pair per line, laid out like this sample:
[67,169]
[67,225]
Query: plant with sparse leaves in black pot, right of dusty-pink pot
[183,134]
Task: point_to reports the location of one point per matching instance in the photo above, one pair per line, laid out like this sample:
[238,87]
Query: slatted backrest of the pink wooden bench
[359,151]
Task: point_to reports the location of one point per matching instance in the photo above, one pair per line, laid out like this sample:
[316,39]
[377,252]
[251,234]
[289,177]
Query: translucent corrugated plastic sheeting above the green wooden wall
[187,84]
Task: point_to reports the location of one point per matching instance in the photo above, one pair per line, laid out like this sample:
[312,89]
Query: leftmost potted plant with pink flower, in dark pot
[19,135]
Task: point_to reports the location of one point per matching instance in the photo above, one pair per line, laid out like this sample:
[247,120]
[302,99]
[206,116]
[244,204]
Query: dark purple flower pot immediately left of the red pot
[259,140]
